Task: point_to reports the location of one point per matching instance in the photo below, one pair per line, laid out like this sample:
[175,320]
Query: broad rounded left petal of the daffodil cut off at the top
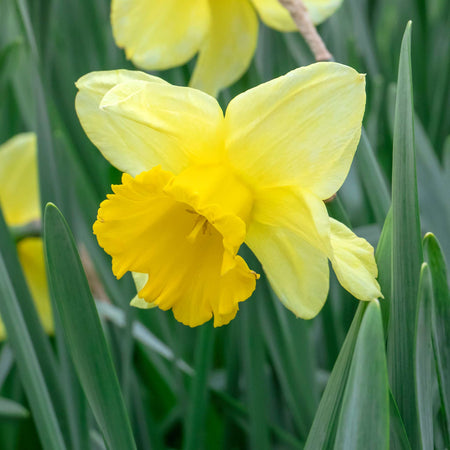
[159,34]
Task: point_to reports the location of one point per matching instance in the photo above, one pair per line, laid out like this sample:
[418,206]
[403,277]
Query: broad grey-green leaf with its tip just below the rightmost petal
[364,416]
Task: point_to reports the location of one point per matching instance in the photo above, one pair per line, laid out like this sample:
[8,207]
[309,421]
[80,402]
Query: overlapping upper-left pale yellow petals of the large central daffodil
[138,121]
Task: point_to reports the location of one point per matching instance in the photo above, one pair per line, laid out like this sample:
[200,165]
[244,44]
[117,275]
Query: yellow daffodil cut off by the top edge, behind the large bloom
[159,34]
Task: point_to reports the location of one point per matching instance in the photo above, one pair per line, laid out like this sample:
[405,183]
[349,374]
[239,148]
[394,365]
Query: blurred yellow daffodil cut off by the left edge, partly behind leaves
[19,199]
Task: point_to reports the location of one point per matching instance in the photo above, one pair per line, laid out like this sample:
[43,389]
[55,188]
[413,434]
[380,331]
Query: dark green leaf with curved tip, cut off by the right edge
[440,322]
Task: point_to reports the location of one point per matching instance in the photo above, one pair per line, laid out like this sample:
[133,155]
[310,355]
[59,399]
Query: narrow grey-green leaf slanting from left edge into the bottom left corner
[27,362]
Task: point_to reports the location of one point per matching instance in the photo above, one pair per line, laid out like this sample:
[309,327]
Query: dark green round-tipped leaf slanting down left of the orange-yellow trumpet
[84,335]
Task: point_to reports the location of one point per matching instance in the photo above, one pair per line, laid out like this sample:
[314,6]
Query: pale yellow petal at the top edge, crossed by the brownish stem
[276,16]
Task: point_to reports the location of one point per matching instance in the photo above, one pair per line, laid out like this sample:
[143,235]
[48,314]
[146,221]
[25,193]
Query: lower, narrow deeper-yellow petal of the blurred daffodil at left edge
[31,257]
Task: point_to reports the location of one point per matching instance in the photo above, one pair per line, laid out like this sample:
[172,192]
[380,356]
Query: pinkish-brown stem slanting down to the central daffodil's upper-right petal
[301,17]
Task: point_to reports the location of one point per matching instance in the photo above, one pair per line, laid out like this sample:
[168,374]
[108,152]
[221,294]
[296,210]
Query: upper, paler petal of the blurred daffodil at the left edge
[19,189]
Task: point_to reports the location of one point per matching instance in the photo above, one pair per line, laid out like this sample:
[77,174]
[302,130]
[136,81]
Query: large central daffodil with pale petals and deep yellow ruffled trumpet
[198,184]
